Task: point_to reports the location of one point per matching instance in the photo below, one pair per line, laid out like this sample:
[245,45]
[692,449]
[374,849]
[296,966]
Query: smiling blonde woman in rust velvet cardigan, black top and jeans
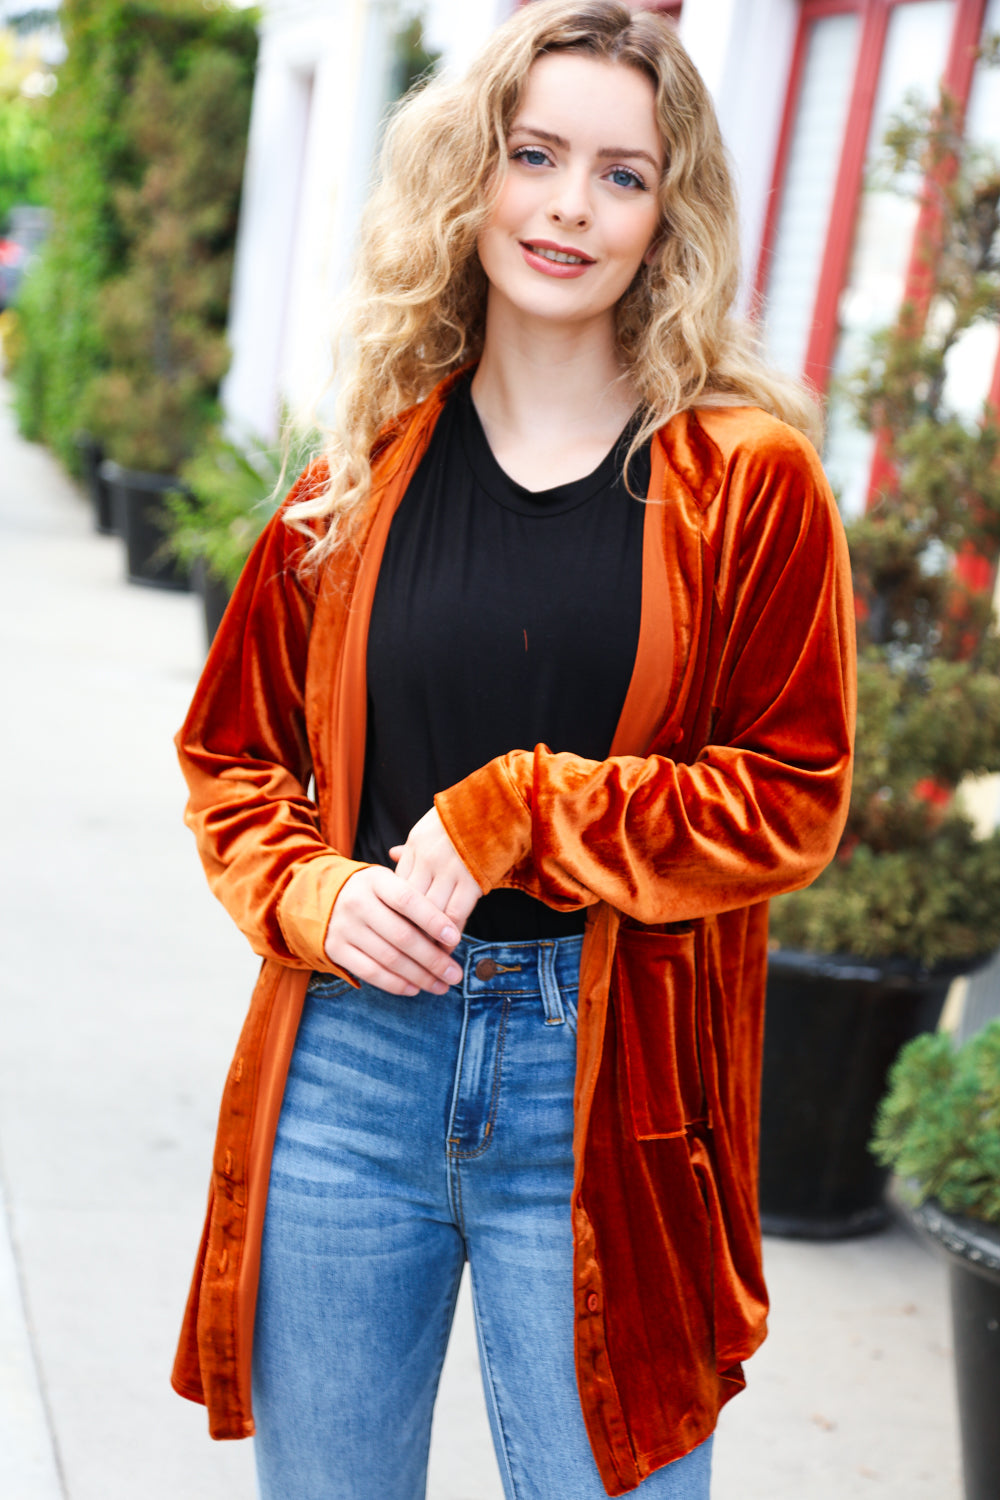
[564,746]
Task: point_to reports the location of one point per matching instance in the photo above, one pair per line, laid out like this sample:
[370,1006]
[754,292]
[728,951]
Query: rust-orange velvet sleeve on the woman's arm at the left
[245,755]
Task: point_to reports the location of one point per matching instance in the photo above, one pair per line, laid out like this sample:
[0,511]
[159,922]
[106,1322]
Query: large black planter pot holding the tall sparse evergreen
[834,1027]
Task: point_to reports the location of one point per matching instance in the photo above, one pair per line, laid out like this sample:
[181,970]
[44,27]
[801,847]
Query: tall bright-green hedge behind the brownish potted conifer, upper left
[95,163]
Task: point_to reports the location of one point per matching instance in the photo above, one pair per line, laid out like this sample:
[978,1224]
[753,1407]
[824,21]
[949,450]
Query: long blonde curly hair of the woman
[418,299]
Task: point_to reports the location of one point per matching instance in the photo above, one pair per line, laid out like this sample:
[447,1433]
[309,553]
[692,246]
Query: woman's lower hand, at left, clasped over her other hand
[388,934]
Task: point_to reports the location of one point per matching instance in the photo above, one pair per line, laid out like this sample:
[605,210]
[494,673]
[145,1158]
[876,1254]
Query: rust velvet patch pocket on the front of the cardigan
[656,1004]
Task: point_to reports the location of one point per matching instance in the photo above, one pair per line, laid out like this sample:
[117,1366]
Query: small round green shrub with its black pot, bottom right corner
[939,1129]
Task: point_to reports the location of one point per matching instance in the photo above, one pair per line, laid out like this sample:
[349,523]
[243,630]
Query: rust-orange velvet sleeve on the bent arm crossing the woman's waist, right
[762,806]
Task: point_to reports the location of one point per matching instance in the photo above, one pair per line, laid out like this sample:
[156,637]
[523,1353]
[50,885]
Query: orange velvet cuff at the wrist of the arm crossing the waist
[488,820]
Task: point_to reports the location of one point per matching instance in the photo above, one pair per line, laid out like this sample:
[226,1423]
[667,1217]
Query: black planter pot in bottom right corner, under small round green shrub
[974,1262]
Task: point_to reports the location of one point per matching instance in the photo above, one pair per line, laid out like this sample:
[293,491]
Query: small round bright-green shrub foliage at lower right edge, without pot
[939,1126]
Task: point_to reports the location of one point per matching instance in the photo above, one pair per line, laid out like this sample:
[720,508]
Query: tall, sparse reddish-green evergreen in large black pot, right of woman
[864,958]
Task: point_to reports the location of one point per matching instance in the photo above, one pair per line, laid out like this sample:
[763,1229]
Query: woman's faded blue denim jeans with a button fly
[418,1133]
